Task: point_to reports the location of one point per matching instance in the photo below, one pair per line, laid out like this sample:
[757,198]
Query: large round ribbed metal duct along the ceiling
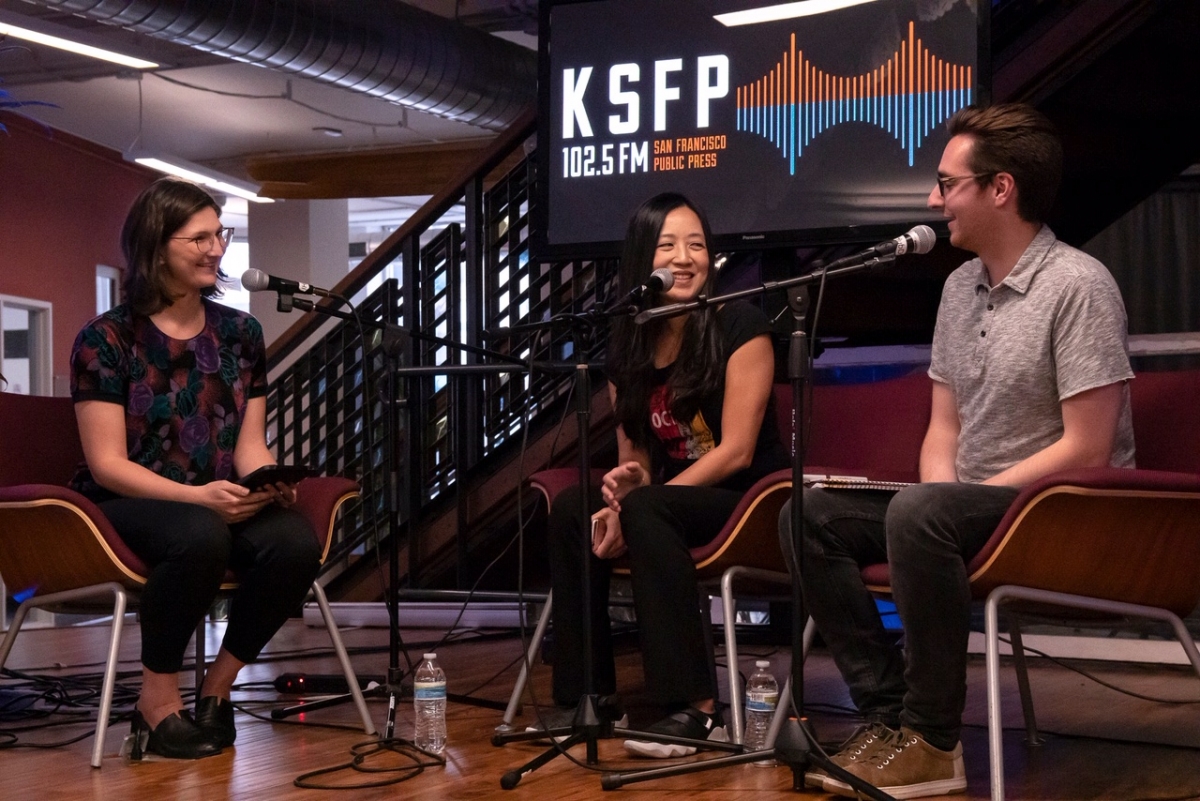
[382,49]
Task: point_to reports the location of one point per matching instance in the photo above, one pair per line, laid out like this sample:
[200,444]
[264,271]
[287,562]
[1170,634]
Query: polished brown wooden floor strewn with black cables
[1100,744]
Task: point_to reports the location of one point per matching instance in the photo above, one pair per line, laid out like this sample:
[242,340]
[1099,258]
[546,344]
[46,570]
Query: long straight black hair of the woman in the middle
[699,369]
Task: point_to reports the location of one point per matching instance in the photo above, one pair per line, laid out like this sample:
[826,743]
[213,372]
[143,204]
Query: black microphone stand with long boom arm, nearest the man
[789,742]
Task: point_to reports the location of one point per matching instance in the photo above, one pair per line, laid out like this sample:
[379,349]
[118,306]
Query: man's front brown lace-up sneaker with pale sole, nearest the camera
[905,767]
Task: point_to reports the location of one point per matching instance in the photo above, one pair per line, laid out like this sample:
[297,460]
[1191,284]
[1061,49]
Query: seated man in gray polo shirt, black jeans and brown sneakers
[1029,377]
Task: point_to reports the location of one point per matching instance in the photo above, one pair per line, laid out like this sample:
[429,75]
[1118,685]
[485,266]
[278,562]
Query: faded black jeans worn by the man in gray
[927,534]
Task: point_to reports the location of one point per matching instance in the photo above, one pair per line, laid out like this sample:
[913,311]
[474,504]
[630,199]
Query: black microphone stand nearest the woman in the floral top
[394,345]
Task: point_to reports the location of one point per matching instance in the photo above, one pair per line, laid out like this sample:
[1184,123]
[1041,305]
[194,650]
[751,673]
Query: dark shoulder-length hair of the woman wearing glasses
[163,209]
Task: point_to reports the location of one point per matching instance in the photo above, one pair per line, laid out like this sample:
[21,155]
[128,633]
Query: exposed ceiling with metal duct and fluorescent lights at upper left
[229,116]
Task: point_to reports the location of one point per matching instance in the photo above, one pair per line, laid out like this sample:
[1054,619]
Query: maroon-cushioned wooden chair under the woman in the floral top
[58,550]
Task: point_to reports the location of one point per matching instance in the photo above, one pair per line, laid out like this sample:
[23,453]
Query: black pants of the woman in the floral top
[189,547]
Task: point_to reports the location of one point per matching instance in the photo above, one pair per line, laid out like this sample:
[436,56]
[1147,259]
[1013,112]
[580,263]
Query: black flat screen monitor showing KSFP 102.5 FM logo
[820,122]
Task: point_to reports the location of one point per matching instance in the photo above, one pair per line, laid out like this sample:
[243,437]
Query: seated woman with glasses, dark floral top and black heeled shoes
[171,396]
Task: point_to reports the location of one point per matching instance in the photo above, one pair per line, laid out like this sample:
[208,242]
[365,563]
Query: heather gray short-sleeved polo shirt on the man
[1054,328]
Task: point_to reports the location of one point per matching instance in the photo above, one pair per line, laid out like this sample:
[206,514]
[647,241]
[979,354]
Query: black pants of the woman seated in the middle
[661,523]
